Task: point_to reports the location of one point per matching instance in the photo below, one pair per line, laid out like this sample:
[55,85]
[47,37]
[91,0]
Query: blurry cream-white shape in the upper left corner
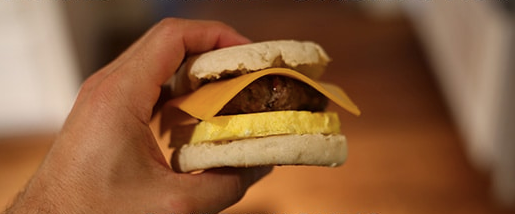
[39,78]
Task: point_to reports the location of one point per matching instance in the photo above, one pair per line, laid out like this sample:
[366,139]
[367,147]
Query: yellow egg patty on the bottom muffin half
[234,127]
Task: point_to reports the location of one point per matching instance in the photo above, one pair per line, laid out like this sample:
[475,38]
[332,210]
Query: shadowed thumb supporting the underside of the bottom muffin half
[214,190]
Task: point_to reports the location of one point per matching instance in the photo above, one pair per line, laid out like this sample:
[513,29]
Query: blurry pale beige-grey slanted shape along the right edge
[471,44]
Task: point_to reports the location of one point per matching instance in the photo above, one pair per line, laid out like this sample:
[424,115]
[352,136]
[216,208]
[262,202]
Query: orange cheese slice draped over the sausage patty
[208,100]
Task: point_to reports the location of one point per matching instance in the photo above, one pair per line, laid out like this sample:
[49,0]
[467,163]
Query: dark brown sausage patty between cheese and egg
[275,93]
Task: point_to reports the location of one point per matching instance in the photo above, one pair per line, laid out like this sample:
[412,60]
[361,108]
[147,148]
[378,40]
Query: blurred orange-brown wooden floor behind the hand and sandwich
[405,155]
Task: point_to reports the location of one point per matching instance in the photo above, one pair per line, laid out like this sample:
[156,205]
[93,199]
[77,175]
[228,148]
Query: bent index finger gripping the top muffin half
[166,44]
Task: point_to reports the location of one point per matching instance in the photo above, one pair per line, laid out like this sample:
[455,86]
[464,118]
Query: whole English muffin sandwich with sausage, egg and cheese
[258,104]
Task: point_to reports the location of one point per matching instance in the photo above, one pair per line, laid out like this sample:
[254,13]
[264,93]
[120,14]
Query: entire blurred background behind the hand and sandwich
[432,78]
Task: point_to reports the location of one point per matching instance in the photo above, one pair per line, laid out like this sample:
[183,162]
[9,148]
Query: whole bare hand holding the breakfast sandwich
[106,159]
